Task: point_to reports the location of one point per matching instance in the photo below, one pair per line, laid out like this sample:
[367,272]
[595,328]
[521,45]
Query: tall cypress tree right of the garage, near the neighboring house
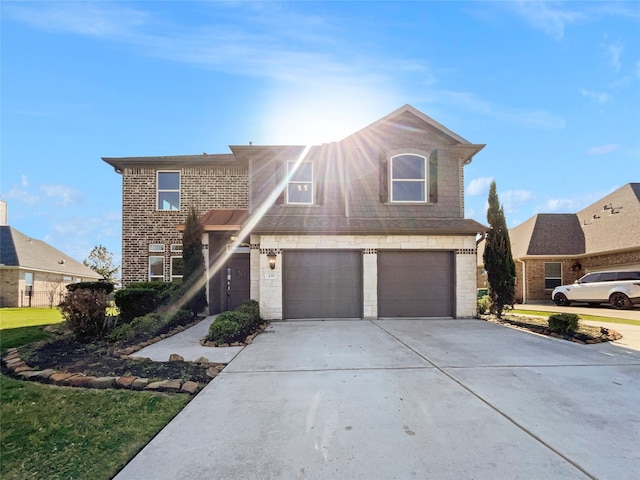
[498,261]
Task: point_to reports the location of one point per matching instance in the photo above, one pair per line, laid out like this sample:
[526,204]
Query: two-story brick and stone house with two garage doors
[371,226]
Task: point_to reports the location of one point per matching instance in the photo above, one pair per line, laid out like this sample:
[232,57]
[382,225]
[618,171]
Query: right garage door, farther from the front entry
[415,284]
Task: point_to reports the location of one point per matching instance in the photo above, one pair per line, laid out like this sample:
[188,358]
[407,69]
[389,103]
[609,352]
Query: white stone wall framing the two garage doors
[266,284]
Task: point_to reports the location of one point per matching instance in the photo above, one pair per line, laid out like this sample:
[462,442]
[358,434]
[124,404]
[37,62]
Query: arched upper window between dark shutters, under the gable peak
[408,178]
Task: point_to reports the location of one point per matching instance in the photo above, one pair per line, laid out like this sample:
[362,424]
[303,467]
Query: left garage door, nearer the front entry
[322,284]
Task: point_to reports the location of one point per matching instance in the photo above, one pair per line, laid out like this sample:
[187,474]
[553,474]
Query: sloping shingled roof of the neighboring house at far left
[20,251]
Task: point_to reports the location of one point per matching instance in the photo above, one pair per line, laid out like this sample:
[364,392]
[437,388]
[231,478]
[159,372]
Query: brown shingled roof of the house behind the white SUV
[608,225]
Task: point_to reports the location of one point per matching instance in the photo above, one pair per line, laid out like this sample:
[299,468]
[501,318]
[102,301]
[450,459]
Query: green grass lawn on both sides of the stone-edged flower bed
[70,433]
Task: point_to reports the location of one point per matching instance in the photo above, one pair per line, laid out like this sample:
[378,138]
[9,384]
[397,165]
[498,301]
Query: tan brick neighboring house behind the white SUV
[554,249]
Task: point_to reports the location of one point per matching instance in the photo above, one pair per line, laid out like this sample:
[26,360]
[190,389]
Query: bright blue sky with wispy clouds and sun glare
[552,88]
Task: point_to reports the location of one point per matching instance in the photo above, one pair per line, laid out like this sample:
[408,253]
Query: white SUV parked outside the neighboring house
[621,289]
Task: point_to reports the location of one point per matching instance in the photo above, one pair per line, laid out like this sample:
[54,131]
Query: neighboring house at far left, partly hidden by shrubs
[33,273]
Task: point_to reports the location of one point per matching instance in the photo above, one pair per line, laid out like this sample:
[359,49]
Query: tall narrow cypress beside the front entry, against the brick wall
[192,289]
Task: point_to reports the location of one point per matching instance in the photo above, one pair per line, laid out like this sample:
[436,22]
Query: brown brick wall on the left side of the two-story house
[142,224]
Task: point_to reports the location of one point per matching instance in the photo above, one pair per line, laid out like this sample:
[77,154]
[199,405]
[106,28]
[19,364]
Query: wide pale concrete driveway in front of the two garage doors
[399,399]
